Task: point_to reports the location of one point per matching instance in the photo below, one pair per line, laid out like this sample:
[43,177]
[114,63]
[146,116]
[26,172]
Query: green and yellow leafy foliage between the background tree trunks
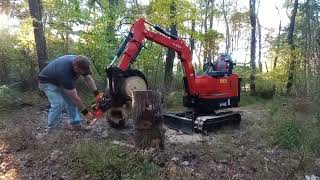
[91,27]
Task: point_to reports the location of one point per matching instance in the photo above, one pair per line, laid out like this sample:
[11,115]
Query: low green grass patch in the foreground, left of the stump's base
[113,162]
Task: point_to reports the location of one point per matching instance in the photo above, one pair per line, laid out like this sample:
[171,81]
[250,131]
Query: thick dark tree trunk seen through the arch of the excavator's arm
[170,53]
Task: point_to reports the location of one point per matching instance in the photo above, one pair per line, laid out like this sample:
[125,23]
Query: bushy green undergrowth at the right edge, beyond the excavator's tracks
[293,129]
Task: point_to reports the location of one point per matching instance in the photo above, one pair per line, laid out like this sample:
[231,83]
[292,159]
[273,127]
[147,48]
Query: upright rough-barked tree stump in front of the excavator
[148,119]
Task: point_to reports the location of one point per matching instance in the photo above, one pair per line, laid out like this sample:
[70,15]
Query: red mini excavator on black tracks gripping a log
[205,94]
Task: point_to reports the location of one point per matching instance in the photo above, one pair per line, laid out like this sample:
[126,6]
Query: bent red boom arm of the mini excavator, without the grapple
[137,36]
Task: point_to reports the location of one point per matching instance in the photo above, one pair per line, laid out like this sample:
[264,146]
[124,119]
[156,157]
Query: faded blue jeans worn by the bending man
[58,99]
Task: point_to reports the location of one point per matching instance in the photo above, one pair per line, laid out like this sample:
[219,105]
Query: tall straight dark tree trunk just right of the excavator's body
[253,47]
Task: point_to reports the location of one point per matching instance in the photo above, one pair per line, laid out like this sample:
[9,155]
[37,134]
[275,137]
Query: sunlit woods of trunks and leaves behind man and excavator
[50,28]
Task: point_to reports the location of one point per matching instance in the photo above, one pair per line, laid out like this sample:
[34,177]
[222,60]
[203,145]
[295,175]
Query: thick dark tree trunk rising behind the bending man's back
[35,8]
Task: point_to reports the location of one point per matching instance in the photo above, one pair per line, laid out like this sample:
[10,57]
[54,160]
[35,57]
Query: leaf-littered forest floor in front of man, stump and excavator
[229,153]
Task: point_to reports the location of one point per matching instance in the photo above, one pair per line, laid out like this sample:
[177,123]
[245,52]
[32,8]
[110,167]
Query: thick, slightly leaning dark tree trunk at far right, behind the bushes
[292,64]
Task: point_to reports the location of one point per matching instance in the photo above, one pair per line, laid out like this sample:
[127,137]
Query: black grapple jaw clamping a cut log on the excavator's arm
[117,98]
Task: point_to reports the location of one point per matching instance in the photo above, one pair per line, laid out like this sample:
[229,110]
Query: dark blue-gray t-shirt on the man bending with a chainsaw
[60,72]
